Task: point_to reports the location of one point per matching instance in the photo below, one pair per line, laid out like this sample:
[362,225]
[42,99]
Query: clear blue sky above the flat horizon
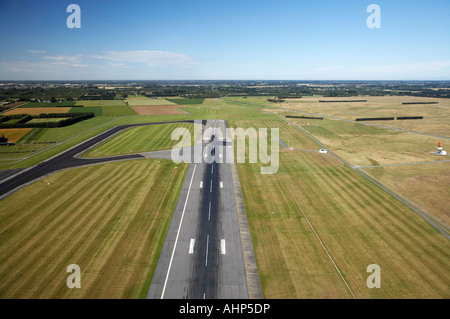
[233,39]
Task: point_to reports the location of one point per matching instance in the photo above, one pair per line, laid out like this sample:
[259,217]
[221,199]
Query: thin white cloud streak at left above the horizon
[150,58]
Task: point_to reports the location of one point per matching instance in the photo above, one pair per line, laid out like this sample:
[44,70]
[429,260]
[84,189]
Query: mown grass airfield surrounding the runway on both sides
[316,224]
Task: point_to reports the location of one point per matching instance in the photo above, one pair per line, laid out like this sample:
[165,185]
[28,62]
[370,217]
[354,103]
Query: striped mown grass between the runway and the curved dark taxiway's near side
[109,219]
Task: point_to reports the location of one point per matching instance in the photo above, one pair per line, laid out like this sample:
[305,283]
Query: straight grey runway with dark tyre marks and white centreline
[202,255]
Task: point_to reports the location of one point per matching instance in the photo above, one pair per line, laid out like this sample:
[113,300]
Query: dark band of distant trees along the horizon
[90,90]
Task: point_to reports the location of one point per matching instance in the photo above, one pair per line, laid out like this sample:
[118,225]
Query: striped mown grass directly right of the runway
[358,223]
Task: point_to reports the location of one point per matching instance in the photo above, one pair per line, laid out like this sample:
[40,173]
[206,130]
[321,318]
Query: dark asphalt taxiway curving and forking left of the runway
[68,159]
